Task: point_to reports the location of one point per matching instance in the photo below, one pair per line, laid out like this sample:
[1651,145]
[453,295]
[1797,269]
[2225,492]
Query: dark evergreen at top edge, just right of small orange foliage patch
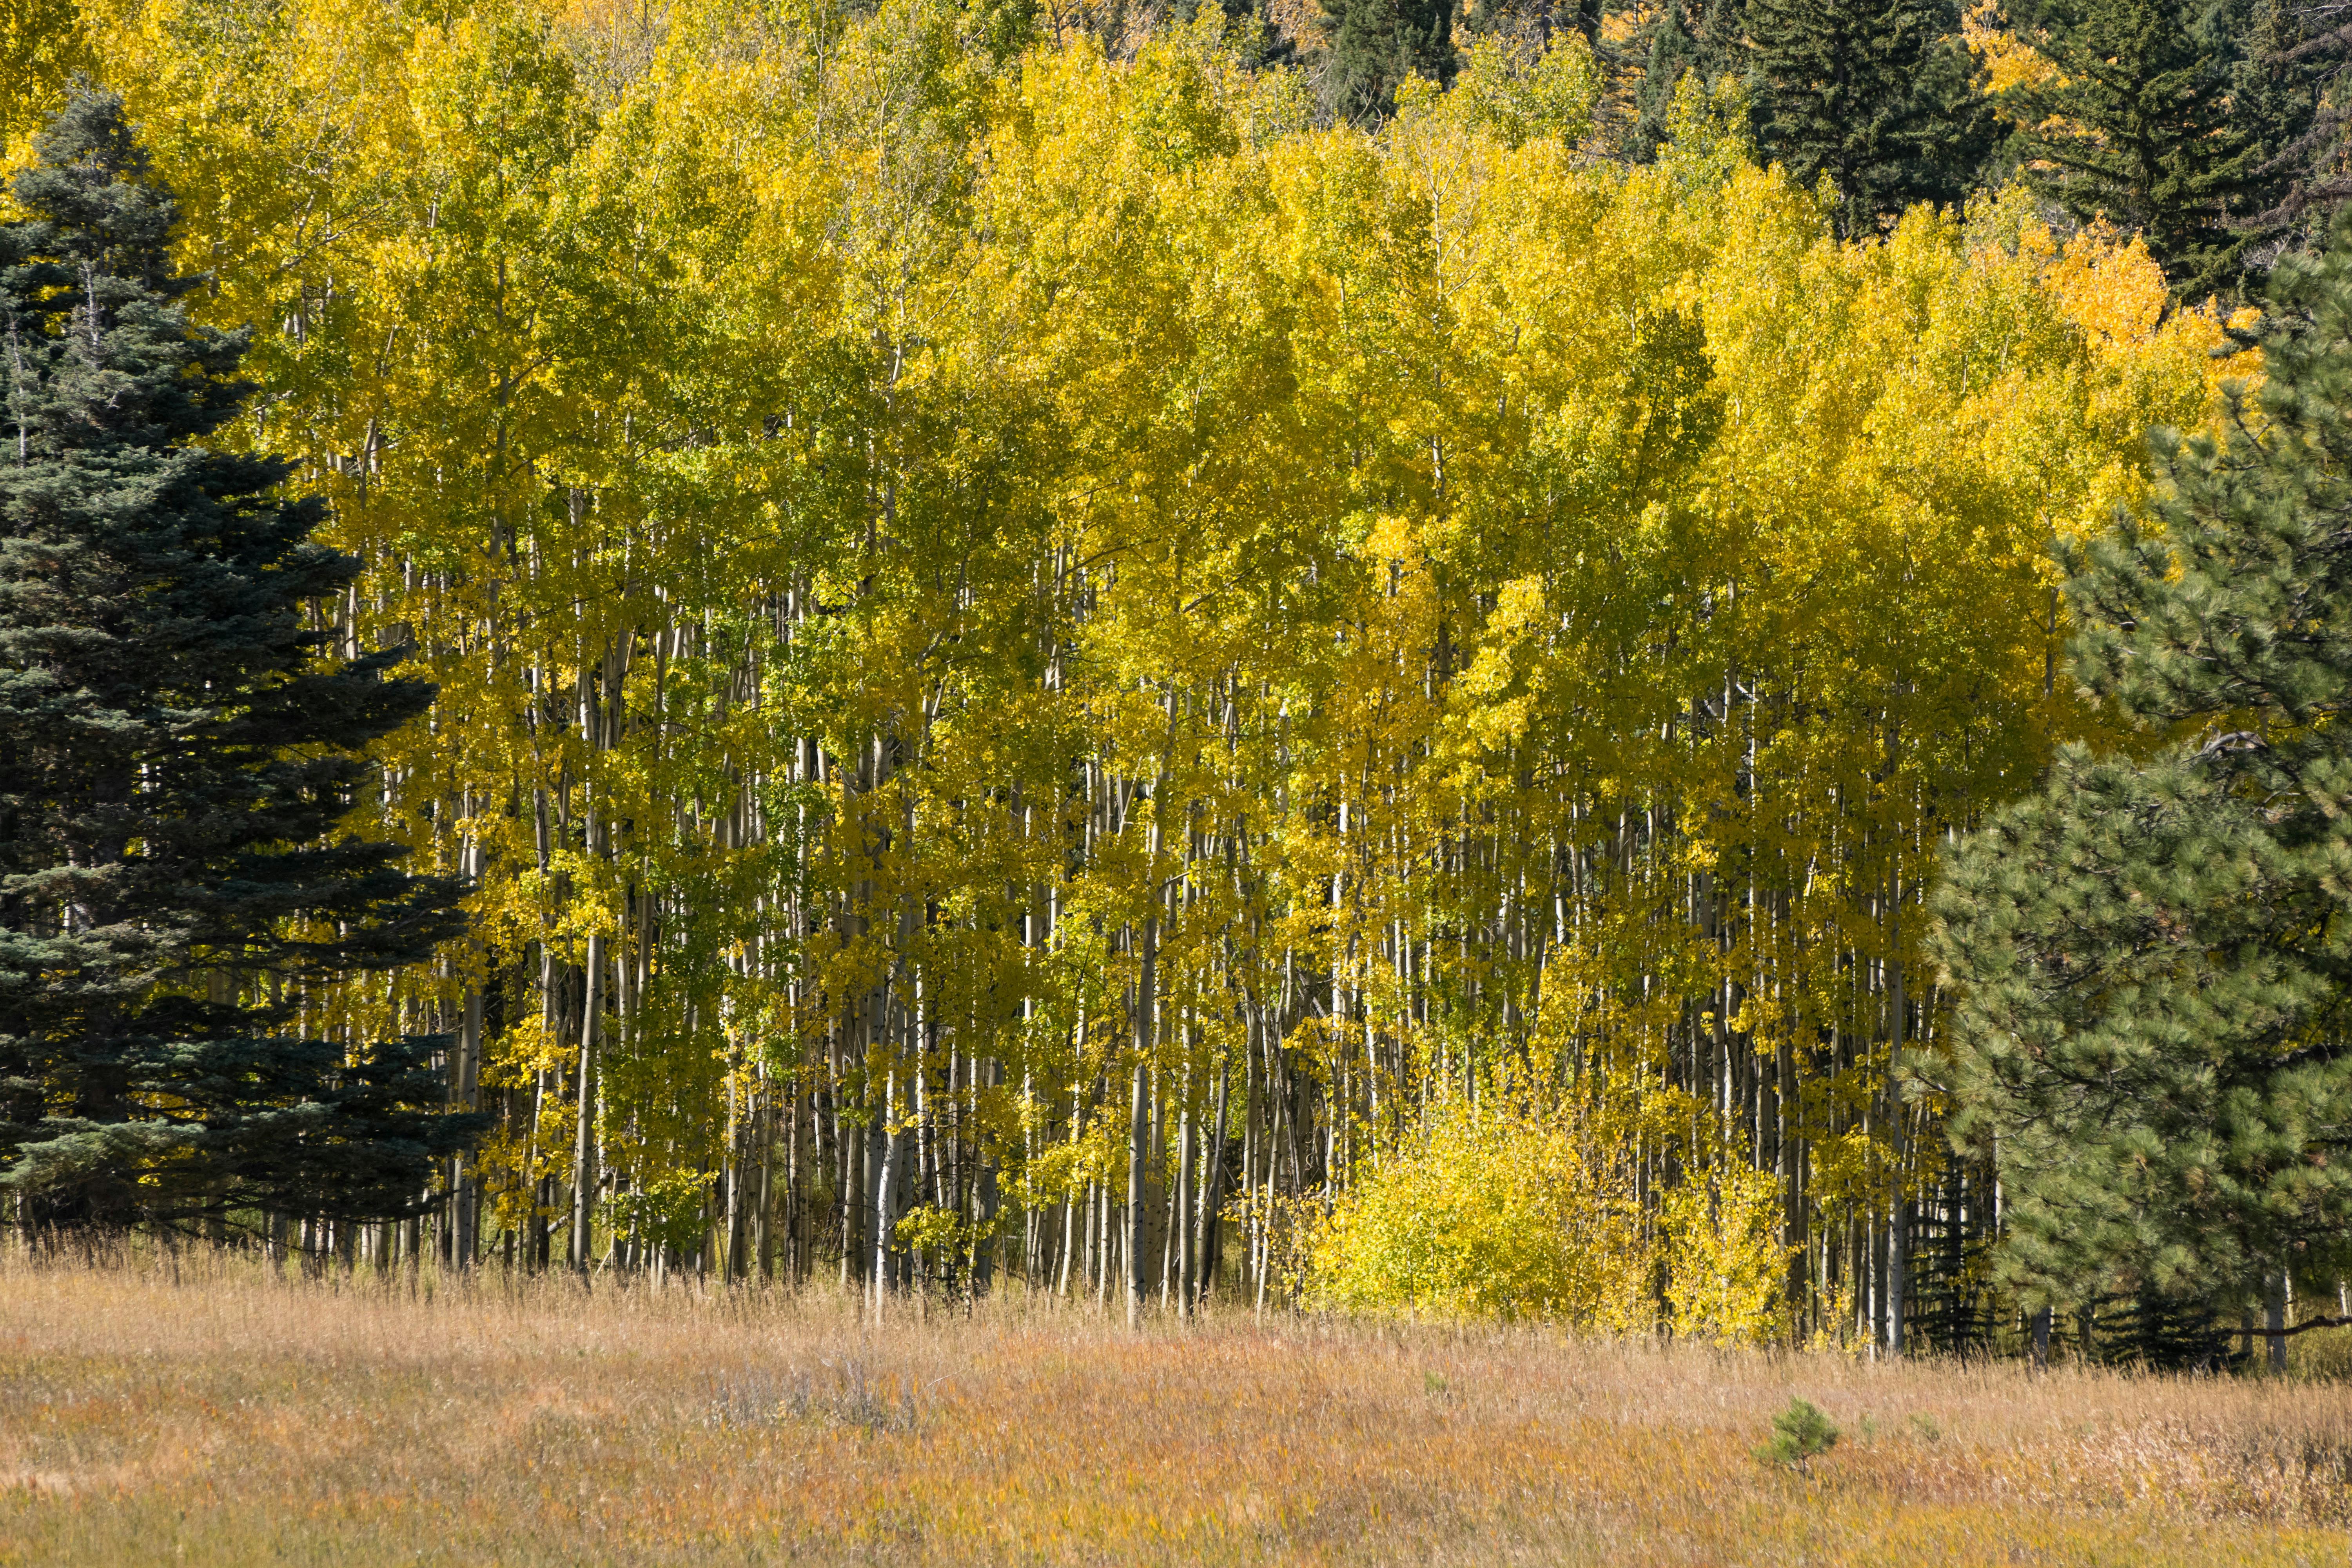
[2141,126]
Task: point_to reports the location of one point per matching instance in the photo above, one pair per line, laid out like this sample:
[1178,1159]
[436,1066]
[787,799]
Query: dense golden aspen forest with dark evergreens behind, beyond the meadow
[1248,652]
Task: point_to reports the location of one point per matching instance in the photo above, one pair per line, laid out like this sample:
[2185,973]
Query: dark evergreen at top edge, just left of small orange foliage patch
[1878,98]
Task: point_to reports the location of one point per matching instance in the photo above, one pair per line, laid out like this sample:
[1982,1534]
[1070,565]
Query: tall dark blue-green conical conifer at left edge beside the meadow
[175,760]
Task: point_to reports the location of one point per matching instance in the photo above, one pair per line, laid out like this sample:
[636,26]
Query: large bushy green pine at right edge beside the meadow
[2156,951]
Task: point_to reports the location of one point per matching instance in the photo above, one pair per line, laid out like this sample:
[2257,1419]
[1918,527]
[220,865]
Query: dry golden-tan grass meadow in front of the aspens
[232,1419]
